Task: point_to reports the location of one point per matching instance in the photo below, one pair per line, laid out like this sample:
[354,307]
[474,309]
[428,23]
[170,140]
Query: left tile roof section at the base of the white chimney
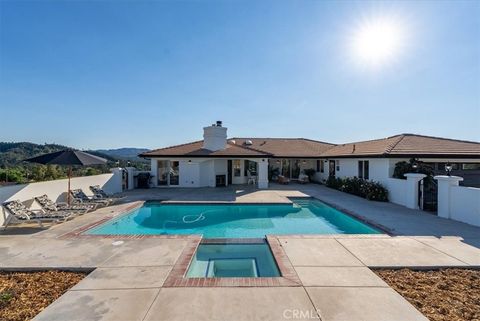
[196,149]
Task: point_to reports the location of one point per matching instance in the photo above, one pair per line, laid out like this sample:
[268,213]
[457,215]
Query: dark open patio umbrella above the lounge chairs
[69,158]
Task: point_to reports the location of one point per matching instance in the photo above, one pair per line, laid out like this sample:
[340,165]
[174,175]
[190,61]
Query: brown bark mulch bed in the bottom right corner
[441,295]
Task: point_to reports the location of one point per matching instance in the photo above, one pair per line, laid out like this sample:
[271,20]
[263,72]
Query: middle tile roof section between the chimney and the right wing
[286,147]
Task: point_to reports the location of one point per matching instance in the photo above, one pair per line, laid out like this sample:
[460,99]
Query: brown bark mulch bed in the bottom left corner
[25,294]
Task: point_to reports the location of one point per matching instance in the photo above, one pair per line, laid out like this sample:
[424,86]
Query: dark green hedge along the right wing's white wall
[370,190]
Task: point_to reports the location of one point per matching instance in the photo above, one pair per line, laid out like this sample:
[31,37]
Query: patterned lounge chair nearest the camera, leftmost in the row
[18,212]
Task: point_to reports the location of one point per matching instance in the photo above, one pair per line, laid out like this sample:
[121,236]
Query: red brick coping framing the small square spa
[177,276]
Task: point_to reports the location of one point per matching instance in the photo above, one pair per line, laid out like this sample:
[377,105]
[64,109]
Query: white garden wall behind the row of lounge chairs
[56,190]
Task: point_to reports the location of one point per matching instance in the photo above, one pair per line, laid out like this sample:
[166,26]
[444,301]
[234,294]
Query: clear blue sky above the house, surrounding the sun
[105,74]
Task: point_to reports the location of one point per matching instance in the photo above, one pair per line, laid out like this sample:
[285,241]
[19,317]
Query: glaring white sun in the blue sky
[378,41]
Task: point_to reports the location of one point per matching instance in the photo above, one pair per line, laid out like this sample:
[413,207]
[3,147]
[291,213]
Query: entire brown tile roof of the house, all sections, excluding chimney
[404,145]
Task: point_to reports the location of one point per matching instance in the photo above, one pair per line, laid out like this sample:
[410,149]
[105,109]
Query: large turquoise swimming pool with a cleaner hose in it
[303,216]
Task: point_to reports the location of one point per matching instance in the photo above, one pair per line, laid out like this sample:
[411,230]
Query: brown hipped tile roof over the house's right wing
[407,145]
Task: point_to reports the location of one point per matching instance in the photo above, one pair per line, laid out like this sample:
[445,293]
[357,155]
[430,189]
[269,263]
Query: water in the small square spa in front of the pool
[233,260]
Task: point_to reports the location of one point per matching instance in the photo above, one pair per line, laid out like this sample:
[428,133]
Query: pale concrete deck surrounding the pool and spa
[336,280]
